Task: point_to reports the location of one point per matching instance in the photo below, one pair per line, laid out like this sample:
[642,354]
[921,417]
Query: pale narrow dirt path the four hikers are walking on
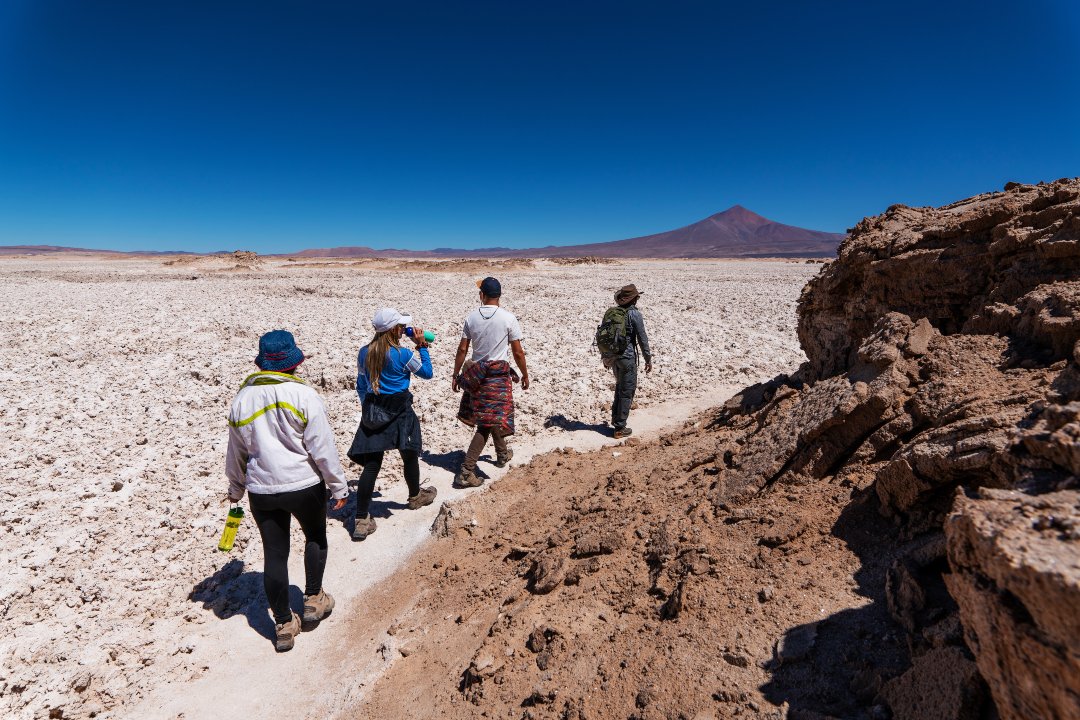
[237,664]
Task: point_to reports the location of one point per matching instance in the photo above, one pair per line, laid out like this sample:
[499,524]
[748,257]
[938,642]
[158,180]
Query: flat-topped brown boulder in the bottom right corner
[1016,564]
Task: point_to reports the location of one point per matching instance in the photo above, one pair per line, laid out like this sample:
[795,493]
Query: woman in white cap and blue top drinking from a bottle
[387,417]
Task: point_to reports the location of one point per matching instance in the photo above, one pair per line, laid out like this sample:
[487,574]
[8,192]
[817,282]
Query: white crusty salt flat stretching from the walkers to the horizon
[117,375]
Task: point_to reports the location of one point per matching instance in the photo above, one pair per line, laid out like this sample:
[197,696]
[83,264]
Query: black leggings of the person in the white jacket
[273,515]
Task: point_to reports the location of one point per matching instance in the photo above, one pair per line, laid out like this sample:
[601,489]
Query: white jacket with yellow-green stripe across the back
[280,439]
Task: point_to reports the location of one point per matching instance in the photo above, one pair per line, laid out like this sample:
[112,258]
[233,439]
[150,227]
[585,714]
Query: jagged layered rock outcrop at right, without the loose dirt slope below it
[944,359]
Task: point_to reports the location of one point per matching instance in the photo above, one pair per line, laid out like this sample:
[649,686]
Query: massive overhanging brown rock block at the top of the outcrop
[1004,263]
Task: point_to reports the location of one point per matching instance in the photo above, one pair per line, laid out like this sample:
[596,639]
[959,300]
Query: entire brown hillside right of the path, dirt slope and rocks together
[889,532]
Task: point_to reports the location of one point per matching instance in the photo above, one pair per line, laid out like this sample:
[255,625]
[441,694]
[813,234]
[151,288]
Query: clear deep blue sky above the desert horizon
[273,126]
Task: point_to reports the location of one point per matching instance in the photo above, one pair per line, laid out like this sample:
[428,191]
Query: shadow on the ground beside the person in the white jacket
[232,592]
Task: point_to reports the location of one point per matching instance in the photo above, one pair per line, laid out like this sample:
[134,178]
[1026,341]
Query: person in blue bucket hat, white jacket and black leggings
[281,452]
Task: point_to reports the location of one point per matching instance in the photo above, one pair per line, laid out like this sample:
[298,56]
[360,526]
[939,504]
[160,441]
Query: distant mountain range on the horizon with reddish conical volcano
[737,233]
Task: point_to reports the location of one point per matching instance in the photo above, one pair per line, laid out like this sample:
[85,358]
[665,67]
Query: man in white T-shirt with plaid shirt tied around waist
[488,381]
